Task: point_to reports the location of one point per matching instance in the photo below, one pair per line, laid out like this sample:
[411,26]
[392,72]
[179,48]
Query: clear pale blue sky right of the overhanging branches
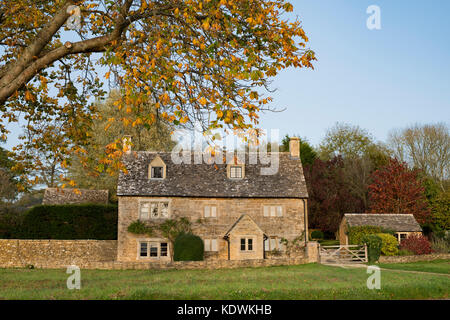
[377,79]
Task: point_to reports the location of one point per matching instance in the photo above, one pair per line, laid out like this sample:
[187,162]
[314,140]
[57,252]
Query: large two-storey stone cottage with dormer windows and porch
[238,212]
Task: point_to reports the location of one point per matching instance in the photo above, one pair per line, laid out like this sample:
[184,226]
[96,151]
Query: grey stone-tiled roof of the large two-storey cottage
[210,180]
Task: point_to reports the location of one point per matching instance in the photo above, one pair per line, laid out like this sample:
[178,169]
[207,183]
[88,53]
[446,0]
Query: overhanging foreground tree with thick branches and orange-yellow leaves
[209,61]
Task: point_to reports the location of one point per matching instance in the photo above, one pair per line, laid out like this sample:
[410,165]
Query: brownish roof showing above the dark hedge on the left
[70,196]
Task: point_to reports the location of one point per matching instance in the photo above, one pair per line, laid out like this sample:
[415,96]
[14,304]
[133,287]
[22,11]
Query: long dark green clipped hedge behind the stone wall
[69,222]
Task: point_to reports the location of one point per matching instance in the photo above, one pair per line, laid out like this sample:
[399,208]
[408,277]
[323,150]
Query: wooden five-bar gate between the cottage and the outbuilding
[343,254]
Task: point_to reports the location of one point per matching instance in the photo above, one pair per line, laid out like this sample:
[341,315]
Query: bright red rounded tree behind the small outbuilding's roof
[398,189]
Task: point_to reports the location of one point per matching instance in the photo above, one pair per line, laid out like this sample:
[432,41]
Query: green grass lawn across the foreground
[311,281]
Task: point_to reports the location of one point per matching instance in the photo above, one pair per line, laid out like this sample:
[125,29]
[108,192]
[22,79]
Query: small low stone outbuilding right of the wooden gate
[402,224]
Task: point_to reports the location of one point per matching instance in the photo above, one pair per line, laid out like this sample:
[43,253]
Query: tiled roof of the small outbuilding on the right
[393,221]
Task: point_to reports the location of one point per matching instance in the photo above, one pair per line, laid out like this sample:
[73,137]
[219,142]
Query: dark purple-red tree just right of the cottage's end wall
[329,195]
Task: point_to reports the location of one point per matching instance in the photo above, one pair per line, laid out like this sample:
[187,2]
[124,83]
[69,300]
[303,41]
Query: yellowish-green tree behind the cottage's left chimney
[85,169]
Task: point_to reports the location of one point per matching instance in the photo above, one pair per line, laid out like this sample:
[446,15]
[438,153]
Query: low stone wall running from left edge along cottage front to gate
[101,254]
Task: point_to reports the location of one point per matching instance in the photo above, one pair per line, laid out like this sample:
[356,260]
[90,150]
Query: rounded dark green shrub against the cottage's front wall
[188,247]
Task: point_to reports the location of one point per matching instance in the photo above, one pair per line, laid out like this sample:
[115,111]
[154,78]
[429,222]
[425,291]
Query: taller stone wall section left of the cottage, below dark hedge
[55,253]
